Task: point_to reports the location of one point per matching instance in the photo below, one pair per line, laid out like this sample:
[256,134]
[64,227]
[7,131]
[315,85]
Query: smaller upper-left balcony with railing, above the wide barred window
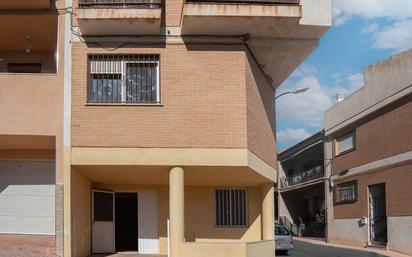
[119,17]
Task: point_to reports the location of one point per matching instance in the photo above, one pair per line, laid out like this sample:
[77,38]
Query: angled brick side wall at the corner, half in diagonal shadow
[260,114]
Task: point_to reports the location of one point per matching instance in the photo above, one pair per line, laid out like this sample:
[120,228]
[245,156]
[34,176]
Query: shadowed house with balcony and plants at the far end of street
[301,187]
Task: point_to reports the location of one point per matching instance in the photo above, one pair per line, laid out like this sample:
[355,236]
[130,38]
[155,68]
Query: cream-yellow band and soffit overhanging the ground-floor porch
[147,166]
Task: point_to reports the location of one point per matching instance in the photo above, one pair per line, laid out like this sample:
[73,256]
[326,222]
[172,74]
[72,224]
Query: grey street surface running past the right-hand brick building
[317,248]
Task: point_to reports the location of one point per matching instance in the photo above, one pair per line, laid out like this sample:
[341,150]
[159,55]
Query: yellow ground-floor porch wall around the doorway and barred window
[199,214]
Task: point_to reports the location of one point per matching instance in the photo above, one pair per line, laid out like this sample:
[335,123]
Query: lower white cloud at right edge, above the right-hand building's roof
[398,36]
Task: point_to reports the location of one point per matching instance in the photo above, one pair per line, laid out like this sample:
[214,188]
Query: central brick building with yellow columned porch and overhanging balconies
[172,123]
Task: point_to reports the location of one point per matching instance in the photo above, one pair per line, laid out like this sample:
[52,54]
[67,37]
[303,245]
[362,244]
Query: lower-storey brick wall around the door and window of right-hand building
[398,194]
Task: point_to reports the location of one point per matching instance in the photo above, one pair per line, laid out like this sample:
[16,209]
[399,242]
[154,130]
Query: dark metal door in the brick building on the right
[378,223]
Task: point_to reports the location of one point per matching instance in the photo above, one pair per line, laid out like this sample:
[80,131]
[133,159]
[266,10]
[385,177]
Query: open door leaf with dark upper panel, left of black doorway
[103,222]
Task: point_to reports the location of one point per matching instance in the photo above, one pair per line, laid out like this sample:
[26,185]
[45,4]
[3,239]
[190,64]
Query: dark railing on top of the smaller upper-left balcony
[120,3]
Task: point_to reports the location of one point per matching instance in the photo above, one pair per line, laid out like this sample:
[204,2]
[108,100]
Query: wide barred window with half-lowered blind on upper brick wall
[124,79]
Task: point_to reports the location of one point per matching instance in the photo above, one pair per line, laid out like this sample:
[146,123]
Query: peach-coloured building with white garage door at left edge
[31,127]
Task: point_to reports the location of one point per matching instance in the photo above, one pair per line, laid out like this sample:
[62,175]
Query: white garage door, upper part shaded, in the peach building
[27,190]
